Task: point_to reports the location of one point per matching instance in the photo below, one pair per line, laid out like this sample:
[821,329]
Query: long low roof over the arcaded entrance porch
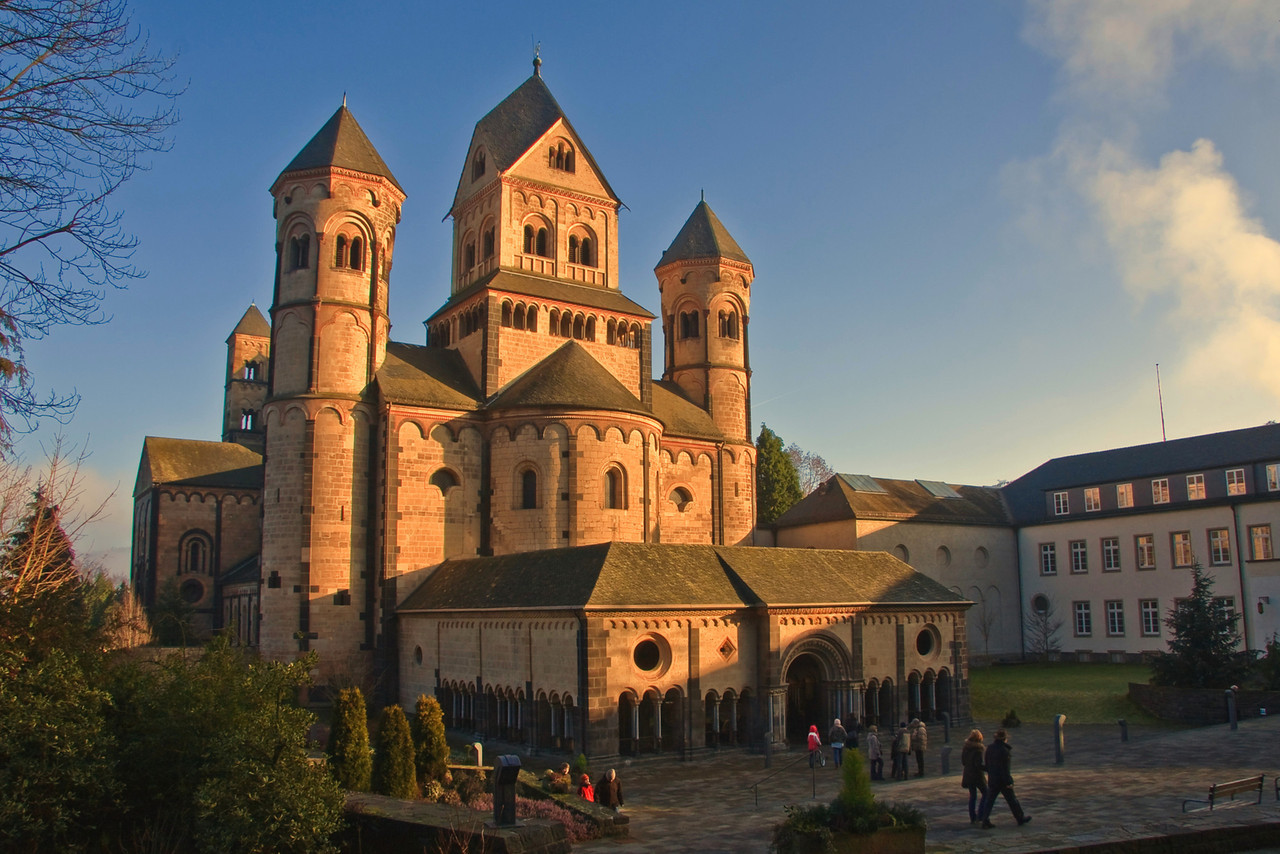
[612,577]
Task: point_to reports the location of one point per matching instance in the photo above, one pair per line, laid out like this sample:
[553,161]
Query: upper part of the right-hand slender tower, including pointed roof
[706,285]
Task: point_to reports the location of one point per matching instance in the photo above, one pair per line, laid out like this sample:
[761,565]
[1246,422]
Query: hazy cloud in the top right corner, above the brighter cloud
[1127,49]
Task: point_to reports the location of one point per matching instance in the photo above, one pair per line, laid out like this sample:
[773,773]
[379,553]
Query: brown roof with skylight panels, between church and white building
[900,501]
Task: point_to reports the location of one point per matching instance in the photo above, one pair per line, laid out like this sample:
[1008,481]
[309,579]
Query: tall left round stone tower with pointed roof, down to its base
[336,207]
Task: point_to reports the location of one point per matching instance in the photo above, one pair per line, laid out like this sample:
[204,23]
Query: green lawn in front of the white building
[1084,693]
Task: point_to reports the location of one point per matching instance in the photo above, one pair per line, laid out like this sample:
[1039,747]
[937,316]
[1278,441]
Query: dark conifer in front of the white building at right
[1203,651]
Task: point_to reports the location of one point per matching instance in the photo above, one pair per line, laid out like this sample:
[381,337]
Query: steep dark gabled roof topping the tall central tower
[511,129]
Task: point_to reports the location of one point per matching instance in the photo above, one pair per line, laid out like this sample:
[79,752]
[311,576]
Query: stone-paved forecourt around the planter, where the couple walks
[1107,791]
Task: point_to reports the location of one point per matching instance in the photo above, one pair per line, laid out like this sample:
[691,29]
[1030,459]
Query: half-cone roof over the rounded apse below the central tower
[570,378]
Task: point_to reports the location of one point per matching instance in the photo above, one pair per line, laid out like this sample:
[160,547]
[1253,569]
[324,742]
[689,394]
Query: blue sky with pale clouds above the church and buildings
[977,229]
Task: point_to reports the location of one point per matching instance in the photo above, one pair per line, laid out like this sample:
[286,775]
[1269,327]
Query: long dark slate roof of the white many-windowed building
[1026,496]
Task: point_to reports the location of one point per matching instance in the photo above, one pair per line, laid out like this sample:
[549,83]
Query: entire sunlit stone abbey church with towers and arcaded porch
[515,517]
